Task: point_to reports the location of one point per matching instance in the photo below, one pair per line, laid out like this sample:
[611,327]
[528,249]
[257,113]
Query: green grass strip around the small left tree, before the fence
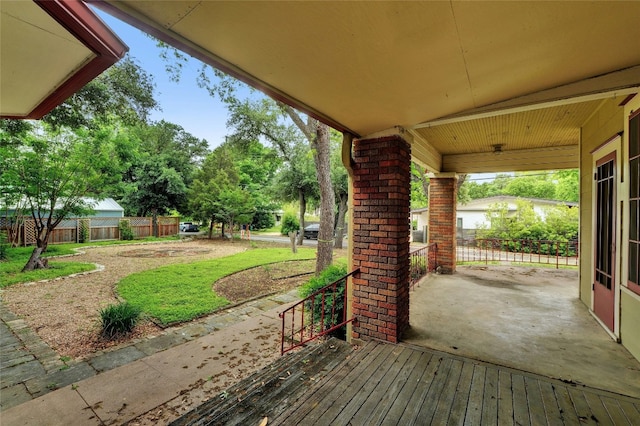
[11,268]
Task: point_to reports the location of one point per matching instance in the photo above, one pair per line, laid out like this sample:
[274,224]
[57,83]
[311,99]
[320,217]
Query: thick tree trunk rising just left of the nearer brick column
[322,157]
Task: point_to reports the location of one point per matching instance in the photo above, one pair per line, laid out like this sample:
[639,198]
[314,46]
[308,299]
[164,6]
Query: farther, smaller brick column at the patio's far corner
[442,220]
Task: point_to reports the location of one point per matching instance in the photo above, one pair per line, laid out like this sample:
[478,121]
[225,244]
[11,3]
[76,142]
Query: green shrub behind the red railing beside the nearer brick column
[332,315]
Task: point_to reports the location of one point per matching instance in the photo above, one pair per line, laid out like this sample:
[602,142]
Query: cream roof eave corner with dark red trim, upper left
[48,51]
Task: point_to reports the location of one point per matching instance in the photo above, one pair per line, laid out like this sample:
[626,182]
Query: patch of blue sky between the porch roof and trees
[182,103]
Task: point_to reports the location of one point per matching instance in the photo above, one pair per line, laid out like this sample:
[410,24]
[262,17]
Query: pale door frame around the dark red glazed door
[613,145]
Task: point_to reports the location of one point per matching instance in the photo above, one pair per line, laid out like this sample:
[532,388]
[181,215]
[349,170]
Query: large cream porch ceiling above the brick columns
[455,78]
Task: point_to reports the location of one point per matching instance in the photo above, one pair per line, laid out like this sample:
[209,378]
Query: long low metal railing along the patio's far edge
[519,251]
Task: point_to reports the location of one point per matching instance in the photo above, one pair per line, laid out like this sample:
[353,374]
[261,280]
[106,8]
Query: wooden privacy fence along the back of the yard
[82,230]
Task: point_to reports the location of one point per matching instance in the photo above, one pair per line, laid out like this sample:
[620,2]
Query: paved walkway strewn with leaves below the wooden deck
[117,386]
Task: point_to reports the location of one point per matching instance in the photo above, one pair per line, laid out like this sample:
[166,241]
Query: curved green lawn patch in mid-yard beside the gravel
[176,293]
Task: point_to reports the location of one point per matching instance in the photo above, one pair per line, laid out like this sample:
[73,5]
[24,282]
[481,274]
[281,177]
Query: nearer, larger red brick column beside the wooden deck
[380,245]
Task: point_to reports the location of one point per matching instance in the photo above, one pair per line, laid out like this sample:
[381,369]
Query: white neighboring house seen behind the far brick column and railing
[473,214]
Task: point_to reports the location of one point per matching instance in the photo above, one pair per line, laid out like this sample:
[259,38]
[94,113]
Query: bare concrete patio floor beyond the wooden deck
[525,318]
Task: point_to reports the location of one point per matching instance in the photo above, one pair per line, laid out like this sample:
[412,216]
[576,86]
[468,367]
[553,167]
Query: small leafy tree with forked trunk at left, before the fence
[57,171]
